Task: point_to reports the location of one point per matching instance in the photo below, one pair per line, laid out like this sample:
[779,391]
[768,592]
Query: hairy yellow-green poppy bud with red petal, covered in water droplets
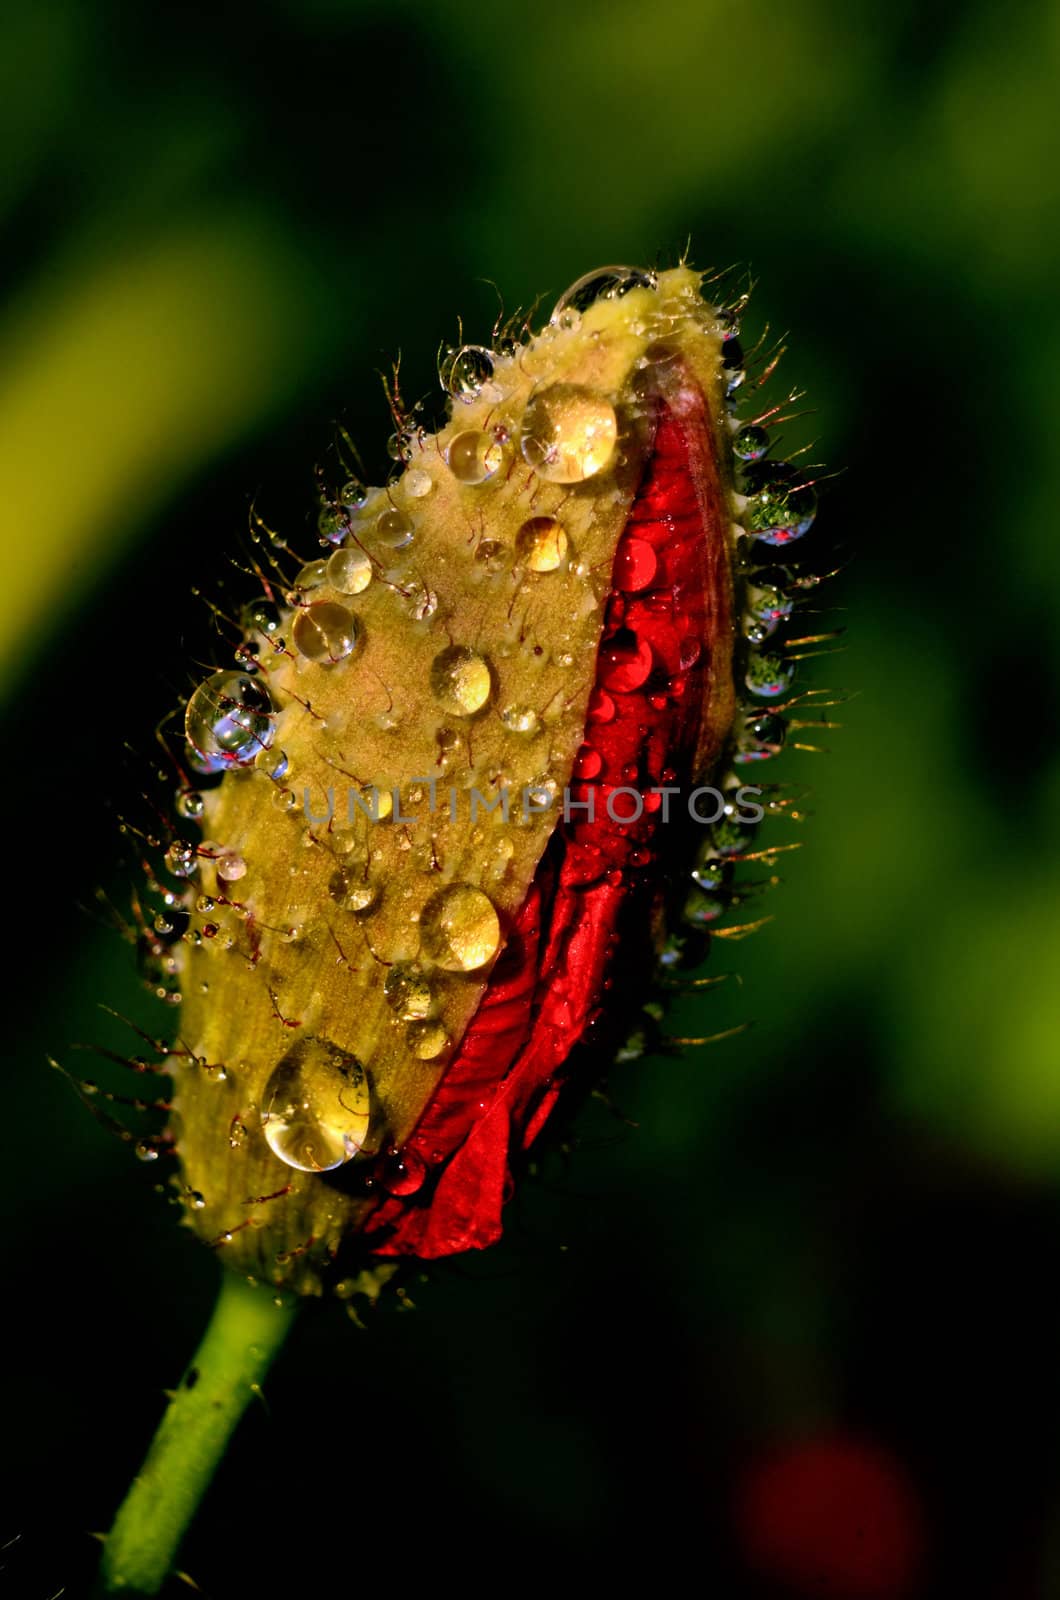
[468,762]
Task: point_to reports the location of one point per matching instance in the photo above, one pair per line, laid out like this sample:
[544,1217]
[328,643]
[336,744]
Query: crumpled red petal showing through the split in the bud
[651,714]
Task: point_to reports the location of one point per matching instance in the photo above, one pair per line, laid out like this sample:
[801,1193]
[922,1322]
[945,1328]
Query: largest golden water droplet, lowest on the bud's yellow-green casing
[316,1108]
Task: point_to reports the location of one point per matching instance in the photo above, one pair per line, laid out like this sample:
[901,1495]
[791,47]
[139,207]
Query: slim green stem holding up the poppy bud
[246,1332]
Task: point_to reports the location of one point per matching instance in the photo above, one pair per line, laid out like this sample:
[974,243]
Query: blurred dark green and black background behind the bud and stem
[219,225]
